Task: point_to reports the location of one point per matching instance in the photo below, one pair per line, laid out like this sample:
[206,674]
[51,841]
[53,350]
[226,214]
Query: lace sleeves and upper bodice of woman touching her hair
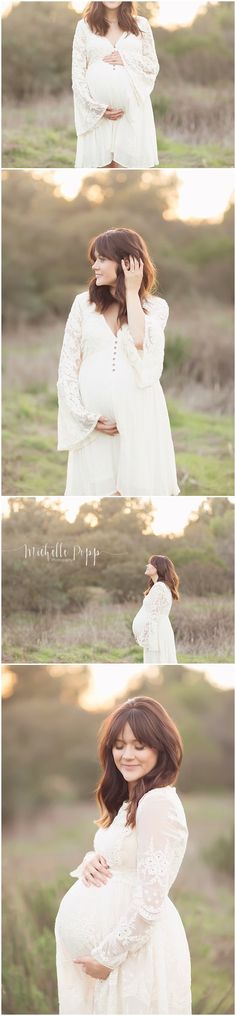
[85,330]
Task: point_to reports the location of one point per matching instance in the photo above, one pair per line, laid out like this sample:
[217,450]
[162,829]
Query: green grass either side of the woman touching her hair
[32,465]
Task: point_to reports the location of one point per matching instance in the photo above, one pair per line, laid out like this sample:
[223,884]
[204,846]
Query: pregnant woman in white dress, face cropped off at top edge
[114,70]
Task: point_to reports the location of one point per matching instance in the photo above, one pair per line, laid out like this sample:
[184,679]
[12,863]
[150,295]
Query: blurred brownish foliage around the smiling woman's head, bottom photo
[49,742]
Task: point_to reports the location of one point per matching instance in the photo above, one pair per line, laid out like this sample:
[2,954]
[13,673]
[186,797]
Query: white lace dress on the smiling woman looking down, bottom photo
[130,924]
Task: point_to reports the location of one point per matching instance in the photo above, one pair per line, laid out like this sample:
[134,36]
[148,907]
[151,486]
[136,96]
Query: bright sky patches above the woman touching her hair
[202,195]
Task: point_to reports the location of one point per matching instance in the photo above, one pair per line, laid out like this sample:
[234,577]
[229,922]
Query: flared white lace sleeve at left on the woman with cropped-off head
[87,111]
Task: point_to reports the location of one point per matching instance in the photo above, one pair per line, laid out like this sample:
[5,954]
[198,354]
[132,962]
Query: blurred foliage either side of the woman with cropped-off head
[38,41]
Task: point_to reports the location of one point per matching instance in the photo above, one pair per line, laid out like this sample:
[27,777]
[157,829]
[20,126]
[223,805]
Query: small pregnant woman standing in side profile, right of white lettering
[152,627]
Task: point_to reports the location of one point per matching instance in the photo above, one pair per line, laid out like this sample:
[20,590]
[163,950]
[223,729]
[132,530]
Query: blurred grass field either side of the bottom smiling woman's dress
[42,853]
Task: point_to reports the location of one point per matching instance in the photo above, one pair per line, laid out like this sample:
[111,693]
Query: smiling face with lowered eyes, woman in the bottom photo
[133,758]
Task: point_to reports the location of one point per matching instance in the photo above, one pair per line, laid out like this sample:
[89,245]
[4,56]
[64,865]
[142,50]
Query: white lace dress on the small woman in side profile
[152,627]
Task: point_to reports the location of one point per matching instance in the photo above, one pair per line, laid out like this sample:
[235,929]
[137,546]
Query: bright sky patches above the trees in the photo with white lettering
[171,515]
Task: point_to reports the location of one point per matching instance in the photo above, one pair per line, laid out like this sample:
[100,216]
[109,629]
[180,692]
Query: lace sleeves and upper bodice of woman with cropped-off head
[140,60]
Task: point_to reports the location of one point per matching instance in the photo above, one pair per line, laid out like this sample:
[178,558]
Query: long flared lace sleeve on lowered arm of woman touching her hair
[75,423]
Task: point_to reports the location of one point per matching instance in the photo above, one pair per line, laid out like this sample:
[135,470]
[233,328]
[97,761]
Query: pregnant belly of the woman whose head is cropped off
[108,86]
